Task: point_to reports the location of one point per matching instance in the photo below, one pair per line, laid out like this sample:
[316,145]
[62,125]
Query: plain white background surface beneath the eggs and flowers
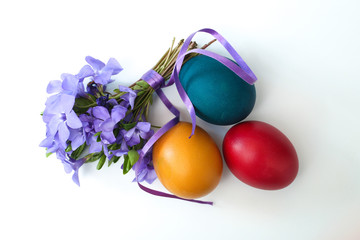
[306,56]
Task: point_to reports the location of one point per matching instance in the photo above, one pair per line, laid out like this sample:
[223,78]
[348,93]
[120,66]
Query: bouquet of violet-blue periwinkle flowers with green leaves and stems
[83,117]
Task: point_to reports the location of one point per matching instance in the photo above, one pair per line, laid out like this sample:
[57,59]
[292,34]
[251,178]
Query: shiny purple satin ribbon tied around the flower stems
[156,81]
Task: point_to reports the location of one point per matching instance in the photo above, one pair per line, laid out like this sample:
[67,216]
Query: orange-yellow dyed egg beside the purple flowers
[188,167]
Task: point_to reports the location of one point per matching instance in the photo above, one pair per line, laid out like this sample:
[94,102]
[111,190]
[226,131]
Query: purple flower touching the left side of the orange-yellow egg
[144,169]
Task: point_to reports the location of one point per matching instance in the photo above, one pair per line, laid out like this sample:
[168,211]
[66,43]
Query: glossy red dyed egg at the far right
[260,155]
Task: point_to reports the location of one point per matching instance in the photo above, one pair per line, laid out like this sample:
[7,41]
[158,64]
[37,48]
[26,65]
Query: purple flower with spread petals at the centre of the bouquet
[105,123]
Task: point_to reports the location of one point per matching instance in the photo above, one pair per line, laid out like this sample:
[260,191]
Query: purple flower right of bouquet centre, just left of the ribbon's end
[141,129]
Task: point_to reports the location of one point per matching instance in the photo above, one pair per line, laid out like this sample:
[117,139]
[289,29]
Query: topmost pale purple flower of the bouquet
[102,72]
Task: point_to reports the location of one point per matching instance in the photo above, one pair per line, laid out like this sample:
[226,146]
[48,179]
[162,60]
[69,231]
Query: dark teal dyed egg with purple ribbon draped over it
[219,96]
